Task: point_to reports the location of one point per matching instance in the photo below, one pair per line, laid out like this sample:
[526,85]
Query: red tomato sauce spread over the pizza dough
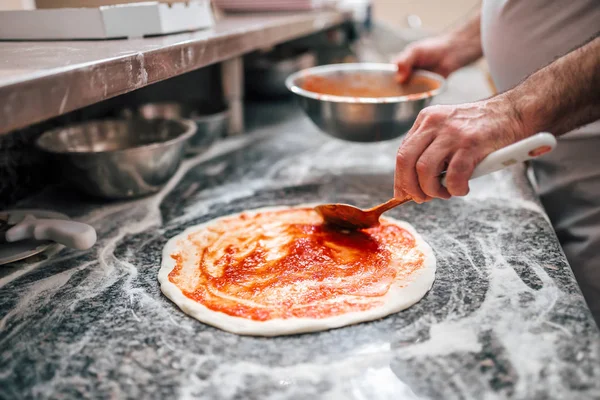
[287,264]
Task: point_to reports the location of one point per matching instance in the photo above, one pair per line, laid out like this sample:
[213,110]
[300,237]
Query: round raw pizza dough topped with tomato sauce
[291,295]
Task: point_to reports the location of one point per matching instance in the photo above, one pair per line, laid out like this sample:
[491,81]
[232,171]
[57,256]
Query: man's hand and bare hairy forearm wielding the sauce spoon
[559,98]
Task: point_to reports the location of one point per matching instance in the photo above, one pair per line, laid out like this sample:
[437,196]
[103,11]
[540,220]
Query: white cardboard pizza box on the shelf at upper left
[106,22]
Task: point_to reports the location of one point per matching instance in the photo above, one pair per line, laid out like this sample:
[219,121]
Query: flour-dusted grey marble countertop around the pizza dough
[504,319]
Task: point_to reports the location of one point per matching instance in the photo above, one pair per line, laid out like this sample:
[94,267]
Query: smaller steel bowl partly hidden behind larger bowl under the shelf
[211,121]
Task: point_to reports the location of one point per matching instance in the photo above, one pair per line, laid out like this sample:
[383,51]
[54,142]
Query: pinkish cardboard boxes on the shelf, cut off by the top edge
[273,5]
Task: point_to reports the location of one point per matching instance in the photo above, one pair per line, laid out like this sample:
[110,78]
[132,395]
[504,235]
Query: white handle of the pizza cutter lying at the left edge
[16,227]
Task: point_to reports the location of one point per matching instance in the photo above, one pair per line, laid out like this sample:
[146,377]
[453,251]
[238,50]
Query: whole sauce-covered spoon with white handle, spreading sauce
[349,217]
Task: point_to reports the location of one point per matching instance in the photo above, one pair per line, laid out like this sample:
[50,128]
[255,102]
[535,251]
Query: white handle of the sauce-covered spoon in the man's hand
[526,149]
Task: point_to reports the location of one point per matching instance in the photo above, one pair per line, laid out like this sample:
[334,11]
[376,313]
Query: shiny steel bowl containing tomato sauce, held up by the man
[361,119]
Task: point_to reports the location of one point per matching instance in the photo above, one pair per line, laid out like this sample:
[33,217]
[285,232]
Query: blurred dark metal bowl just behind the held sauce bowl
[265,75]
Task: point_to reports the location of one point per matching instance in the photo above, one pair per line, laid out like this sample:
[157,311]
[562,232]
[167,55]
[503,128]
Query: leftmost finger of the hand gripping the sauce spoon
[406,180]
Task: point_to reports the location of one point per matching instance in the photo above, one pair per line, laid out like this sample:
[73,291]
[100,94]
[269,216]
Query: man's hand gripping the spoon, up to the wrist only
[453,139]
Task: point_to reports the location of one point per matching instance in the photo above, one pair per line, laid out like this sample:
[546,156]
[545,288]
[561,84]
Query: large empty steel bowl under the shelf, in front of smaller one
[119,159]
